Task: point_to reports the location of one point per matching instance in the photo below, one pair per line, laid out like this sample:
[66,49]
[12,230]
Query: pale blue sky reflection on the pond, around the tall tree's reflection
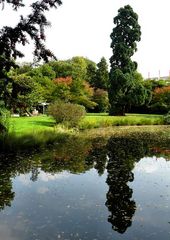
[69,206]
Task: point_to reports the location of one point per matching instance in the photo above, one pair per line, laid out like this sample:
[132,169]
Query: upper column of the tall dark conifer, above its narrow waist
[124,37]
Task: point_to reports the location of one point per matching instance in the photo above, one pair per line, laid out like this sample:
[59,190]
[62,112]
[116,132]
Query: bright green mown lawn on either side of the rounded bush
[24,125]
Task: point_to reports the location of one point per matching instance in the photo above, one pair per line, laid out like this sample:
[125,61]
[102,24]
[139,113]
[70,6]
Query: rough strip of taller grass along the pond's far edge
[13,143]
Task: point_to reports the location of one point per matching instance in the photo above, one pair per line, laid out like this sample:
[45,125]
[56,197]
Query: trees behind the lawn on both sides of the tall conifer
[80,81]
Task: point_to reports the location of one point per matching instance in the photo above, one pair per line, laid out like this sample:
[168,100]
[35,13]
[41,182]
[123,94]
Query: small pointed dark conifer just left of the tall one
[102,75]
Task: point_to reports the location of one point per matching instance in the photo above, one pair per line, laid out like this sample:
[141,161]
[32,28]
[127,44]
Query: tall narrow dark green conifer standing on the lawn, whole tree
[125,36]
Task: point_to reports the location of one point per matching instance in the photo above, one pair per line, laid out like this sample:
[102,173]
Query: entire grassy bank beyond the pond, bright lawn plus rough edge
[28,133]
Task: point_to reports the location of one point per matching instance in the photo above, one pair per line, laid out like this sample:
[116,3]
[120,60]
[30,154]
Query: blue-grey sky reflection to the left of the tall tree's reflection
[59,206]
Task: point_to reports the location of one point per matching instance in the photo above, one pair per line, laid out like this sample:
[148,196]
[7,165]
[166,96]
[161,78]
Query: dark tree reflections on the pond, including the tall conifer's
[78,155]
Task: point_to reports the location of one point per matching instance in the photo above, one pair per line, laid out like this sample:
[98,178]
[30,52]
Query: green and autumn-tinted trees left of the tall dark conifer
[77,80]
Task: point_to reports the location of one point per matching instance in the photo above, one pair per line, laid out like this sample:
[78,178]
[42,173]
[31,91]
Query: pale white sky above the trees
[83,28]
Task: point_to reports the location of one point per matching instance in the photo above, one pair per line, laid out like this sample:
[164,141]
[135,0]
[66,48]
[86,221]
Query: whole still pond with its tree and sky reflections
[115,189]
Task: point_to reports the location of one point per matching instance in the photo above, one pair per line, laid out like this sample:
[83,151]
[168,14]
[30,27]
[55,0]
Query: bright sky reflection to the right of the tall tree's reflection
[151,192]
